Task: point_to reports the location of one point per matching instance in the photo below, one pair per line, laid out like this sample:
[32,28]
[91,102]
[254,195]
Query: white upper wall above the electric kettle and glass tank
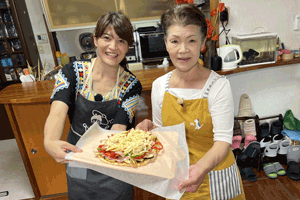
[274,16]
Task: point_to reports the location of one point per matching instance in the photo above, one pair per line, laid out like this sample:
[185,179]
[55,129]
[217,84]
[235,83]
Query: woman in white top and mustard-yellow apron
[203,100]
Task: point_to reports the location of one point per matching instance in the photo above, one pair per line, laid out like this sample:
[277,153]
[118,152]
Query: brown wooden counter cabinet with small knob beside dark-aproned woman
[27,107]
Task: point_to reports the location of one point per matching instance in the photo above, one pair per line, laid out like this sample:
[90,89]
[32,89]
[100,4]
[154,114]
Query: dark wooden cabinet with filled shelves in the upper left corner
[16,47]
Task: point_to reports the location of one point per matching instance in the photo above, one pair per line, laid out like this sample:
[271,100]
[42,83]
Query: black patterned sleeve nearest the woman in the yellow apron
[125,115]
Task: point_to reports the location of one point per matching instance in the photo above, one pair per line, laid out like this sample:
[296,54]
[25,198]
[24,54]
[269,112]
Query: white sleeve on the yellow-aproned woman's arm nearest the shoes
[222,110]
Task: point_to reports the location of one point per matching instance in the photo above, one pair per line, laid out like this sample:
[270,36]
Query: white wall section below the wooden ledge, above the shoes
[271,90]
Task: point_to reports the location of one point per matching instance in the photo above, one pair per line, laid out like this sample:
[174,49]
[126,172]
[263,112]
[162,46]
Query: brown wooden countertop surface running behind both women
[42,90]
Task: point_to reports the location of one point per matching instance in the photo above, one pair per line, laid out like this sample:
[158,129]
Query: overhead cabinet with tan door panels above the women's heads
[74,14]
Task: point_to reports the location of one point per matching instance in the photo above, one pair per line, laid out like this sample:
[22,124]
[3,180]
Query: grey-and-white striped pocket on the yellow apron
[225,184]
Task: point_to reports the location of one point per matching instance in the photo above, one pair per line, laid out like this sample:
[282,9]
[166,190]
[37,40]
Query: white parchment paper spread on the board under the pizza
[160,177]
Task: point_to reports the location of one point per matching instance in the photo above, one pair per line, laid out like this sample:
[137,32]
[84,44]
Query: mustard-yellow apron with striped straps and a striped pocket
[222,182]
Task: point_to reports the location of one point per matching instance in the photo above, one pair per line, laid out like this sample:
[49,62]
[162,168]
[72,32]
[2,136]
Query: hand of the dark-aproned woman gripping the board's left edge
[57,149]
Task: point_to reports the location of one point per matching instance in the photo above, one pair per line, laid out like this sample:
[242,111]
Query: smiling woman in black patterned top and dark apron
[100,90]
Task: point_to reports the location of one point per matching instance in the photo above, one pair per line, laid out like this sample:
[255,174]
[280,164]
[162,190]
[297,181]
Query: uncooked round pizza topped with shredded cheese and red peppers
[133,148]
